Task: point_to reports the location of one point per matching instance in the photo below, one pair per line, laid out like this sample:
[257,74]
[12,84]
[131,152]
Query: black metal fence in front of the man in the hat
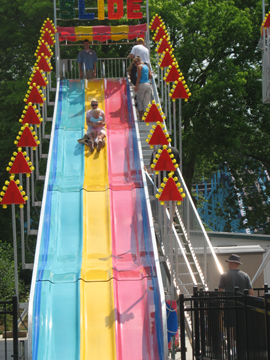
[227,325]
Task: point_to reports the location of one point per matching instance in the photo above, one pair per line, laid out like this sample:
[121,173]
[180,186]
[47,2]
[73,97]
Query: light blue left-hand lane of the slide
[56,323]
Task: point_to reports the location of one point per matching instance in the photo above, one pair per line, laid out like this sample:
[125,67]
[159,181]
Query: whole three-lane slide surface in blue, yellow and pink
[95,293]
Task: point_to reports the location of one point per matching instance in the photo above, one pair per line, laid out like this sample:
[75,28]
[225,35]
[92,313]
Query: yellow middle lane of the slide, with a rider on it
[97,330]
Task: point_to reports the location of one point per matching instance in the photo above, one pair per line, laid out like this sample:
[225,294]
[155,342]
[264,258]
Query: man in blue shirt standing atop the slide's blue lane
[88,57]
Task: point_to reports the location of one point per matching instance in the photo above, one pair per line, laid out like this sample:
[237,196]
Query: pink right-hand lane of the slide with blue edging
[134,270]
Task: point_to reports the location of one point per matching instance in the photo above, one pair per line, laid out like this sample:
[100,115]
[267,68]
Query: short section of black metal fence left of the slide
[10,308]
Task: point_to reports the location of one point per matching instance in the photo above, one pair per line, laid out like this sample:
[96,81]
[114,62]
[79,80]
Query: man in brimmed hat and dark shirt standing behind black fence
[235,277]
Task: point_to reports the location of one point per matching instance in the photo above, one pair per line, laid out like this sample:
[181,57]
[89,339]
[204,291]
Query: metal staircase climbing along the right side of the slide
[177,254]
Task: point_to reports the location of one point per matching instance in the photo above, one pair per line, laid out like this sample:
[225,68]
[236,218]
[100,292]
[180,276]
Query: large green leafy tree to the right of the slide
[224,123]
